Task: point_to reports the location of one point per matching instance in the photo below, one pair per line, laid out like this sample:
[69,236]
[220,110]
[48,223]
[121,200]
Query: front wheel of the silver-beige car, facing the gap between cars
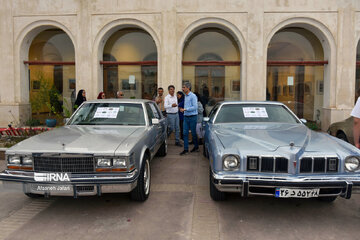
[142,190]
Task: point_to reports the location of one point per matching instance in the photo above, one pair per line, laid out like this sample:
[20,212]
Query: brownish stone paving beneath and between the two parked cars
[179,207]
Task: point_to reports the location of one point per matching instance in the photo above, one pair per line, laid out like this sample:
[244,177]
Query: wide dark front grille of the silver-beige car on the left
[68,164]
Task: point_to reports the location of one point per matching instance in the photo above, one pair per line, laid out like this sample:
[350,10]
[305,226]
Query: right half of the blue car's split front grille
[319,164]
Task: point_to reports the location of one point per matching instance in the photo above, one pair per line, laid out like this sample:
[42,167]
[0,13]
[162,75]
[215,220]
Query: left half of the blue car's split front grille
[267,164]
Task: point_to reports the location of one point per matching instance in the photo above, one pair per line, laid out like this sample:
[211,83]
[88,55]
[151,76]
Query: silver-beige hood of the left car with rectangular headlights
[79,139]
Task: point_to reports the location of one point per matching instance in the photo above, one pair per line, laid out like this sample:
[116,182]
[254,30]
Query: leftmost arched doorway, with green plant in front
[51,66]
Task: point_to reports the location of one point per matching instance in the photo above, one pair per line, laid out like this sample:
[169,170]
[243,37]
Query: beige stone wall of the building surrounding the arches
[252,22]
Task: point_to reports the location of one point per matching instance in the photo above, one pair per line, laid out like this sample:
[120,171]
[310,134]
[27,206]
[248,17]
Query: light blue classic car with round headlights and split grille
[262,148]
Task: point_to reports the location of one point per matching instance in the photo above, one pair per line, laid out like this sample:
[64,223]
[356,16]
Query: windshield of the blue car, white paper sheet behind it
[248,113]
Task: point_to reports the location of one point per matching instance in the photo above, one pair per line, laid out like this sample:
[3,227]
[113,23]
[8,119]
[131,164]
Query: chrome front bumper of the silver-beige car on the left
[79,184]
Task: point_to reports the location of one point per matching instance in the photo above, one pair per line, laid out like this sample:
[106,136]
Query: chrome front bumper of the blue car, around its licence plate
[343,185]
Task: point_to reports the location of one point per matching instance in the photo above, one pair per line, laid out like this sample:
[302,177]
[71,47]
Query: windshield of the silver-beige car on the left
[109,114]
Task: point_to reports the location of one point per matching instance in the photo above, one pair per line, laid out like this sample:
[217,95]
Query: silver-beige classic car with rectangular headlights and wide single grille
[106,147]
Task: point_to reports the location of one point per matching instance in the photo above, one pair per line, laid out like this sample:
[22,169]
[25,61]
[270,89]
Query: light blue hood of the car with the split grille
[270,137]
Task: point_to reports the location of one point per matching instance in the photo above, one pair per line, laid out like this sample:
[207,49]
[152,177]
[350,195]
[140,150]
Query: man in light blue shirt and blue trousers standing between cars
[190,118]
